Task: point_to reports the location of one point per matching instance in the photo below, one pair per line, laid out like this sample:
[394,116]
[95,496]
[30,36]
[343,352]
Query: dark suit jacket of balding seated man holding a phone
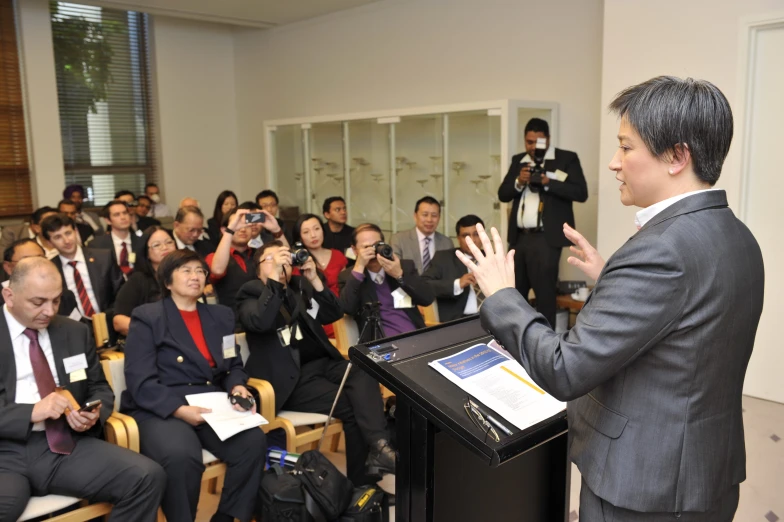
[68,338]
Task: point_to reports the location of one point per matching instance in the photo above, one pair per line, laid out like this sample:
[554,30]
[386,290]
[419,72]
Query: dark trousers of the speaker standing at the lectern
[596,509]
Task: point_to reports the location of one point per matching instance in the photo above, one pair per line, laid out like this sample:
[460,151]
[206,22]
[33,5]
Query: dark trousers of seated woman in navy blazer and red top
[177,446]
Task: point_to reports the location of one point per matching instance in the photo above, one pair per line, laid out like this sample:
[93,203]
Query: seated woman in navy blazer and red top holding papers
[178,347]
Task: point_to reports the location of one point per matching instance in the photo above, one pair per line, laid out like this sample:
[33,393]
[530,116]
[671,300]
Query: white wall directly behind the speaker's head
[698,38]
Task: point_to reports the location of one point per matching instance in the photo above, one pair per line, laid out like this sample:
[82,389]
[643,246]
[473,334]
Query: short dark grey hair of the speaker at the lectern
[667,111]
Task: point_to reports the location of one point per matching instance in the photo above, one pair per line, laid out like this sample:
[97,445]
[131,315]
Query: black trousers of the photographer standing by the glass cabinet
[536,266]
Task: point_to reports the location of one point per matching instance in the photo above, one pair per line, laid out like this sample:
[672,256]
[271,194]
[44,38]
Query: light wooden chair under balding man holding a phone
[115,433]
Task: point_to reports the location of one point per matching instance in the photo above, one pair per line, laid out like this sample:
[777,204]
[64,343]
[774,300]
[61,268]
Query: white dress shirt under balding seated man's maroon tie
[26,386]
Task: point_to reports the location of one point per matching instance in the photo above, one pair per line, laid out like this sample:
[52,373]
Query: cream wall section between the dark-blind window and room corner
[197,116]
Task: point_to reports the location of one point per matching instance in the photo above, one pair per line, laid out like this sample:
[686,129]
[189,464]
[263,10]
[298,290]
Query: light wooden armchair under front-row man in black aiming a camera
[302,429]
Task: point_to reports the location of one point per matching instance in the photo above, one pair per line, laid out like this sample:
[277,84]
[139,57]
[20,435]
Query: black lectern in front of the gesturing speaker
[449,470]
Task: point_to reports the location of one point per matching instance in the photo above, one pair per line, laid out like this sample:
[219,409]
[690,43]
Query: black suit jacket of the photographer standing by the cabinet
[557,198]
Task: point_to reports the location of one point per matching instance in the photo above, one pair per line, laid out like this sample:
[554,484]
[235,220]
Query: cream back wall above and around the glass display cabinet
[410,53]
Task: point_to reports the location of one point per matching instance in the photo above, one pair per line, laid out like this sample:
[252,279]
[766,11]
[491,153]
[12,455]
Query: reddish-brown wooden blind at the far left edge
[15,196]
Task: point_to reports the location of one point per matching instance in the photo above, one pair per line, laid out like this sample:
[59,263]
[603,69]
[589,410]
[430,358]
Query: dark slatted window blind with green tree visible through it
[104,91]
